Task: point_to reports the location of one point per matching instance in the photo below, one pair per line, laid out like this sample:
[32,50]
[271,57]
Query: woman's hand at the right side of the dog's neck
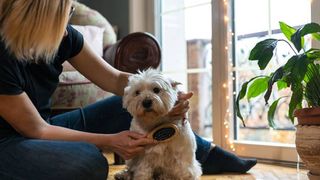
[179,111]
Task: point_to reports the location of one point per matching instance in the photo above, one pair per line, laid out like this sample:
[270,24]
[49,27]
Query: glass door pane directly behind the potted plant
[251,26]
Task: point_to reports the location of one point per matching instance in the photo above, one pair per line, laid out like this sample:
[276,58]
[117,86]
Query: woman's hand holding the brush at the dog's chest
[129,144]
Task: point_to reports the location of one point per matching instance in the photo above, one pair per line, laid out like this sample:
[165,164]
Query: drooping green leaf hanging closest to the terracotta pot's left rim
[296,100]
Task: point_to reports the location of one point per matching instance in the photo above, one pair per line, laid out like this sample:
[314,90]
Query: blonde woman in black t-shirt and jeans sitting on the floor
[35,41]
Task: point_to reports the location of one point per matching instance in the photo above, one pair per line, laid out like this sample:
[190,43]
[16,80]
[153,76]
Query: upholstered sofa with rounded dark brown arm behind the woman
[136,51]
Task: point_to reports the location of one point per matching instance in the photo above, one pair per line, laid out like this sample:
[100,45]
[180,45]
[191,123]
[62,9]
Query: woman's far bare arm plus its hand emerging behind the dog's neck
[108,78]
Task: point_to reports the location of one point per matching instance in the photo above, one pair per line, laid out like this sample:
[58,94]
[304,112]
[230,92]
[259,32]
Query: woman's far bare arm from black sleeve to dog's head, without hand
[99,72]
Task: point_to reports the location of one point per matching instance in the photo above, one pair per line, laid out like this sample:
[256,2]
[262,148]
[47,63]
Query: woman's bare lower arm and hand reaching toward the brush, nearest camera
[21,114]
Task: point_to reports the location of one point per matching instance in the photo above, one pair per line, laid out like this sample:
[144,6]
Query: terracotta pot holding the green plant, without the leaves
[308,139]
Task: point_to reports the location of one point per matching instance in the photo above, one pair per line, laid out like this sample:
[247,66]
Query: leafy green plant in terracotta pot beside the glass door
[300,73]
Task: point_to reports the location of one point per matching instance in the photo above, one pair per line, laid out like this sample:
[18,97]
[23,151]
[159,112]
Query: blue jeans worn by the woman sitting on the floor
[23,158]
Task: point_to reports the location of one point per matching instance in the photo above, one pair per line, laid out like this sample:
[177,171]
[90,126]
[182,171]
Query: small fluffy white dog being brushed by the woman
[148,97]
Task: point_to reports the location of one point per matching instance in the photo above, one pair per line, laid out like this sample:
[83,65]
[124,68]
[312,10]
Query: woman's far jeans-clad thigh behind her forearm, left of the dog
[105,116]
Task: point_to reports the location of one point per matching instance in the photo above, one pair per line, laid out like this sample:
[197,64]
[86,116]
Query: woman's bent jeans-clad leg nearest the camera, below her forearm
[23,158]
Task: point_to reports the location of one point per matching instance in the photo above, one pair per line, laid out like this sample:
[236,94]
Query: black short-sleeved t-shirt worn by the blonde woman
[38,81]
